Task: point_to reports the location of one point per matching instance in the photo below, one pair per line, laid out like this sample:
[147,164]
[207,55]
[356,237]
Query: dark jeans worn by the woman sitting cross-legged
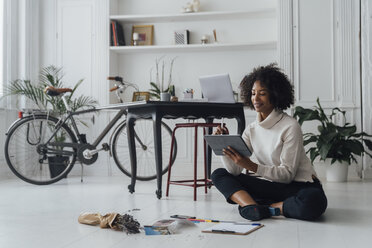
[301,200]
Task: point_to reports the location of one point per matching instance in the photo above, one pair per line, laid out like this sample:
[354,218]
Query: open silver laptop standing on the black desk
[217,88]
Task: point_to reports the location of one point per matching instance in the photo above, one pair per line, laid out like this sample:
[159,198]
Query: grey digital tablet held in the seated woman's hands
[219,142]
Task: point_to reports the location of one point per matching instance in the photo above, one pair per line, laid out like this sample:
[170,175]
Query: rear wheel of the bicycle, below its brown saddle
[23,153]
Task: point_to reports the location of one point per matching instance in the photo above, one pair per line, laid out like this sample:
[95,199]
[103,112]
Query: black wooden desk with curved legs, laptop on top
[156,110]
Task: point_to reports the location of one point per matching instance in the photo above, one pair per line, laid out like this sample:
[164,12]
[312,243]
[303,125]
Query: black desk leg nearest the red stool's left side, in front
[158,153]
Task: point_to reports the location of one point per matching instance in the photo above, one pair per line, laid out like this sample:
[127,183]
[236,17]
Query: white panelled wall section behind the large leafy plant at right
[326,59]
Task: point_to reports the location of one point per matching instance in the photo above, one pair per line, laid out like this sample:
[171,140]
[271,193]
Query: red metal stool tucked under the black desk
[194,182]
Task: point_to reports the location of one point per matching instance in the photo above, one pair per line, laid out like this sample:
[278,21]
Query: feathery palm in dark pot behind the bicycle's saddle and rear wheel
[34,92]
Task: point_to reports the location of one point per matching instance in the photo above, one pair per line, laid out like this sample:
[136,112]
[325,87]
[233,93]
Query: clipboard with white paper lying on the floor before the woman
[233,228]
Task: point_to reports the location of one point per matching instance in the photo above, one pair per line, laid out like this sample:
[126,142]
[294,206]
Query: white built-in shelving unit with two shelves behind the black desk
[246,35]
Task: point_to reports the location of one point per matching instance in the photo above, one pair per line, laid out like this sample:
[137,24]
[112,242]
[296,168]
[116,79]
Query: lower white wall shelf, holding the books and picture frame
[194,47]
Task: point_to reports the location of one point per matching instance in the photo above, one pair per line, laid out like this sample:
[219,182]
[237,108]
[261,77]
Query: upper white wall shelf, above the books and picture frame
[196,16]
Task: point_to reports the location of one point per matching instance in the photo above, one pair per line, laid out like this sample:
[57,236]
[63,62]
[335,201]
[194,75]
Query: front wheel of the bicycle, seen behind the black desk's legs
[146,166]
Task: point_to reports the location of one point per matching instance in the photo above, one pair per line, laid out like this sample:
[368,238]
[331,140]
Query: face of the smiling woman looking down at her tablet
[260,99]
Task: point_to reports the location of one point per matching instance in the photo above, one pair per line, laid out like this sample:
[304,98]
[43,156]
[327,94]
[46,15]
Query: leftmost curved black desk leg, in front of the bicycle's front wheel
[132,151]
